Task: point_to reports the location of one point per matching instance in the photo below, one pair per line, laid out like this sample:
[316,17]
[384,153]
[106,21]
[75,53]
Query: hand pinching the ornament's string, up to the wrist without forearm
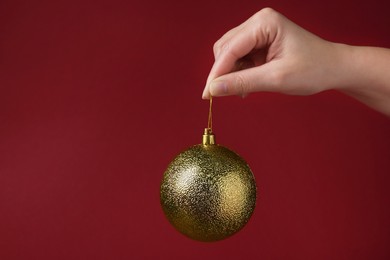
[268,52]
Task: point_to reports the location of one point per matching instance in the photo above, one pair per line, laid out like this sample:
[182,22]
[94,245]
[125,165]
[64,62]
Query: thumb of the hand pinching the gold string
[243,82]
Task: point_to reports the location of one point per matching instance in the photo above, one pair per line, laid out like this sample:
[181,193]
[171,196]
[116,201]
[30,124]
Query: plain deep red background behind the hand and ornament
[96,98]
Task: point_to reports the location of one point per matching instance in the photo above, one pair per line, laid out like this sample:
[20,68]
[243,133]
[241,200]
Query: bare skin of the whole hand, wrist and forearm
[268,52]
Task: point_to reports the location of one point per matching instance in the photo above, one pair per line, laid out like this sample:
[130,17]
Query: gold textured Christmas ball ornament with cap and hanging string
[208,192]
